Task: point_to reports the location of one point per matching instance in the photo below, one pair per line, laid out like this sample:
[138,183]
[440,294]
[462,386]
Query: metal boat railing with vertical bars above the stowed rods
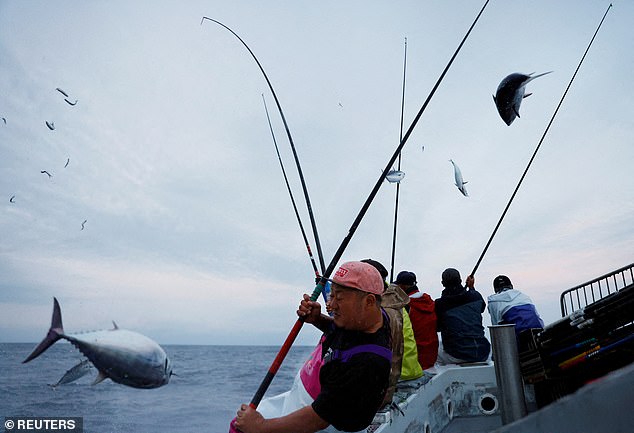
[584,294]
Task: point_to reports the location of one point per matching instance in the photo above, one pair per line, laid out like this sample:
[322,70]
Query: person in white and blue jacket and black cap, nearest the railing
[510,306]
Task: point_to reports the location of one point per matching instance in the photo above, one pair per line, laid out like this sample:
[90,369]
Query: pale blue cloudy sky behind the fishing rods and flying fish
[189,235]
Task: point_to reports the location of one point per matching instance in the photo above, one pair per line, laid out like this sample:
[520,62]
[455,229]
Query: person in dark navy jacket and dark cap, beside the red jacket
[459,321]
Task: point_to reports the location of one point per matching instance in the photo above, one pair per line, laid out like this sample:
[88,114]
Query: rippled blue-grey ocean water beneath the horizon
[210,384]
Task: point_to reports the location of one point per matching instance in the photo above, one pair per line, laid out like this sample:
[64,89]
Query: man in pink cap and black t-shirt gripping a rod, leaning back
[357,358]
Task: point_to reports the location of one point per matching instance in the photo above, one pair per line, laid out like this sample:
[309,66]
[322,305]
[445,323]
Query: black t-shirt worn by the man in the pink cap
[353,390]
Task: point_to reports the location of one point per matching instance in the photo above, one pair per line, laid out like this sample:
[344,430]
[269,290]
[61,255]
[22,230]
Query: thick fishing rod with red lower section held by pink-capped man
[277,362]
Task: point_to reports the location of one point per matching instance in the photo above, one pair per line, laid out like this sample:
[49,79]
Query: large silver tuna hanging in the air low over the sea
[126,357]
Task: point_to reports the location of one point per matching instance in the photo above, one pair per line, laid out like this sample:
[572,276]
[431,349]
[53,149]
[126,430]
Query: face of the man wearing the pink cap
[348,307]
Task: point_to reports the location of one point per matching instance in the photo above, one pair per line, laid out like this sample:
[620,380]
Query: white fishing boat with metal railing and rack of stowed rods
[575,375]
